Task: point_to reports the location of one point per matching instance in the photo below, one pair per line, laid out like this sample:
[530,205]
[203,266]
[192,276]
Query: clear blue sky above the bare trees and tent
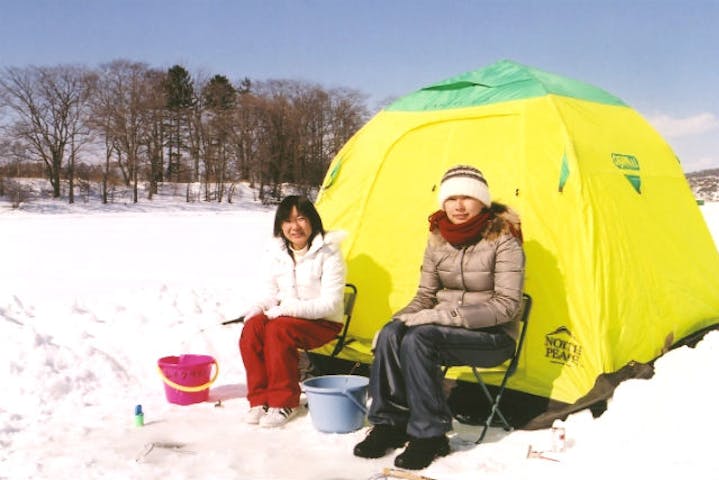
[659,56]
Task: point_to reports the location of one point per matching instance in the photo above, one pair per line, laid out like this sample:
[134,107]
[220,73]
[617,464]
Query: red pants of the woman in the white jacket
[269,350]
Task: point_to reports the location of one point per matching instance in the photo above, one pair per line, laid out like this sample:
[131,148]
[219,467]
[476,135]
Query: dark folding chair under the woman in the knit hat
[510,369]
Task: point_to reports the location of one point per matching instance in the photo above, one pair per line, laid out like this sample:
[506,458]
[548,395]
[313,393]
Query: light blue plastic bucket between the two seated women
[337,402]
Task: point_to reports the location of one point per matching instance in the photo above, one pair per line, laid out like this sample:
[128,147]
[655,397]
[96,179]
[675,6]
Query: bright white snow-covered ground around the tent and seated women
[91,297]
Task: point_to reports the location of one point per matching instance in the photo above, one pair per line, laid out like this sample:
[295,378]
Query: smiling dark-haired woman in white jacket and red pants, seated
[302,308]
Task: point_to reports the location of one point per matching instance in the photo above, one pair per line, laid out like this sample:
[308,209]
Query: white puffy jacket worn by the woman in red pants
[313,287]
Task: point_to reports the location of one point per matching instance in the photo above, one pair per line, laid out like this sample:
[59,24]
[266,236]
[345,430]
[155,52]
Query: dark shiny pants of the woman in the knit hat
[406,374]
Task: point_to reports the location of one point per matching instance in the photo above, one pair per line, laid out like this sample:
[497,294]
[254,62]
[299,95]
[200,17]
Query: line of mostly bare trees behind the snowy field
[125,123]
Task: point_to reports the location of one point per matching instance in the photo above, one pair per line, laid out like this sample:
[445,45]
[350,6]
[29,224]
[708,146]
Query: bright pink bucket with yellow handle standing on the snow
[187,377]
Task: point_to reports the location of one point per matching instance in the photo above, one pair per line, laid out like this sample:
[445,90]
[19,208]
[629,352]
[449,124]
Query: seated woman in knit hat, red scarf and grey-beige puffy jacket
[464,311]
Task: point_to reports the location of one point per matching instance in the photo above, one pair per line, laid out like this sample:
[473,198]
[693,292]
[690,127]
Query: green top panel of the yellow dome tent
[500,82]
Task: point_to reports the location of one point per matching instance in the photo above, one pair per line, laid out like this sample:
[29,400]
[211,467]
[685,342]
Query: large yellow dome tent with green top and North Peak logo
[619,260]
